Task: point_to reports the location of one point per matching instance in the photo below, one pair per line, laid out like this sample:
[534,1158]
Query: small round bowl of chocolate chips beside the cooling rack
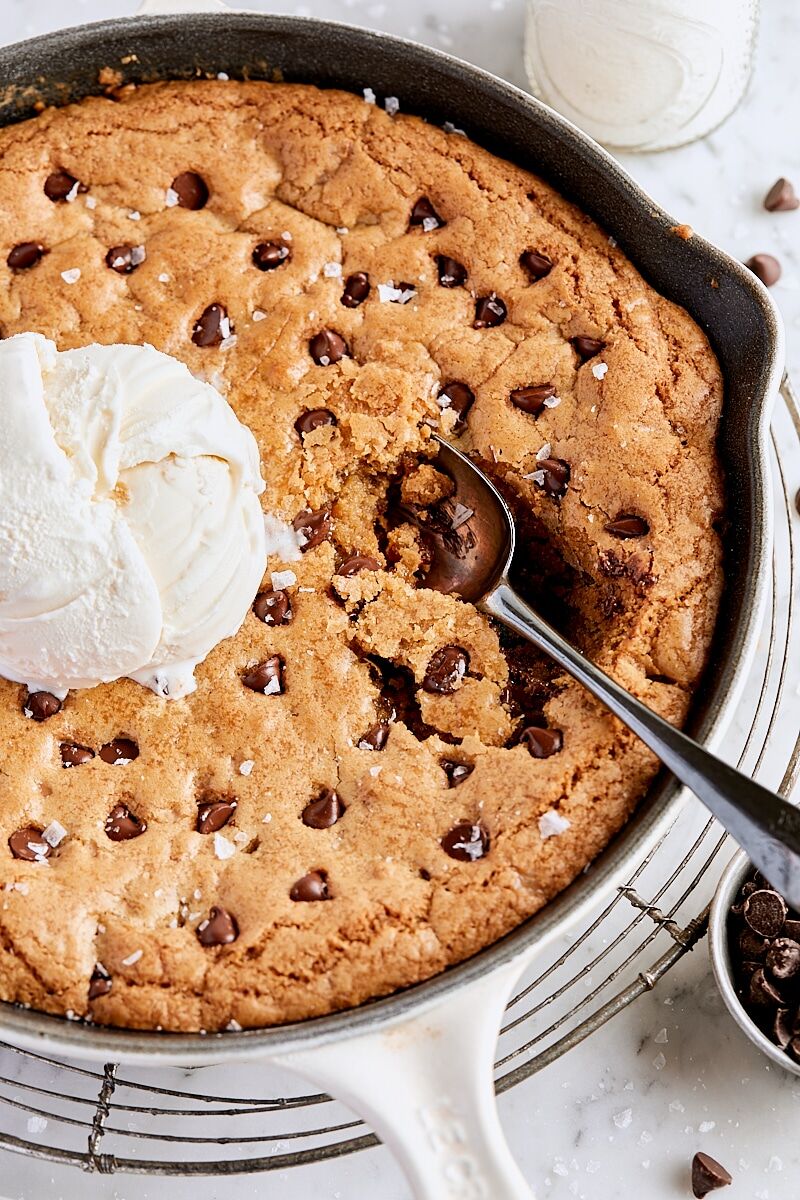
[755,944]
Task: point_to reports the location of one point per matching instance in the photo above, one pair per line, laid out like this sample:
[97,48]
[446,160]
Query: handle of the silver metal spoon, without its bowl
[765,825]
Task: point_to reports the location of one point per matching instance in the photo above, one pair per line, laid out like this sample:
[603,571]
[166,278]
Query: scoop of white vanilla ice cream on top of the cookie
[131,535]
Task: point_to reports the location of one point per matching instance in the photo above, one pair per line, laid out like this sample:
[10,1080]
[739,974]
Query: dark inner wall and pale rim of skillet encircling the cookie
[738,316]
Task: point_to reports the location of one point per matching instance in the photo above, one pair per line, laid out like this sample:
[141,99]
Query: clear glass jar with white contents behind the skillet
[642,75]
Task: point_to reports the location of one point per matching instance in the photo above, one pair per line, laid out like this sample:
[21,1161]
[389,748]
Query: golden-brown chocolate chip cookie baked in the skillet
[371,782]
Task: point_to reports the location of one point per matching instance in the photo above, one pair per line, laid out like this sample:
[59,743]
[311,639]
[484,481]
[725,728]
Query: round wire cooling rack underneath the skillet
[206,1121]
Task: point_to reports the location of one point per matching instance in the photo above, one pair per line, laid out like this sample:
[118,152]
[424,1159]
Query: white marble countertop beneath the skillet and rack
[621,1115]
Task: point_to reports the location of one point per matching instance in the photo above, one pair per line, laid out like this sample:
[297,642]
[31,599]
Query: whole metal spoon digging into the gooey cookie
[474,563]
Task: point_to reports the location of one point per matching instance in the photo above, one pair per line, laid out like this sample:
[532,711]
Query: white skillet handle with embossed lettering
[425,1085]
